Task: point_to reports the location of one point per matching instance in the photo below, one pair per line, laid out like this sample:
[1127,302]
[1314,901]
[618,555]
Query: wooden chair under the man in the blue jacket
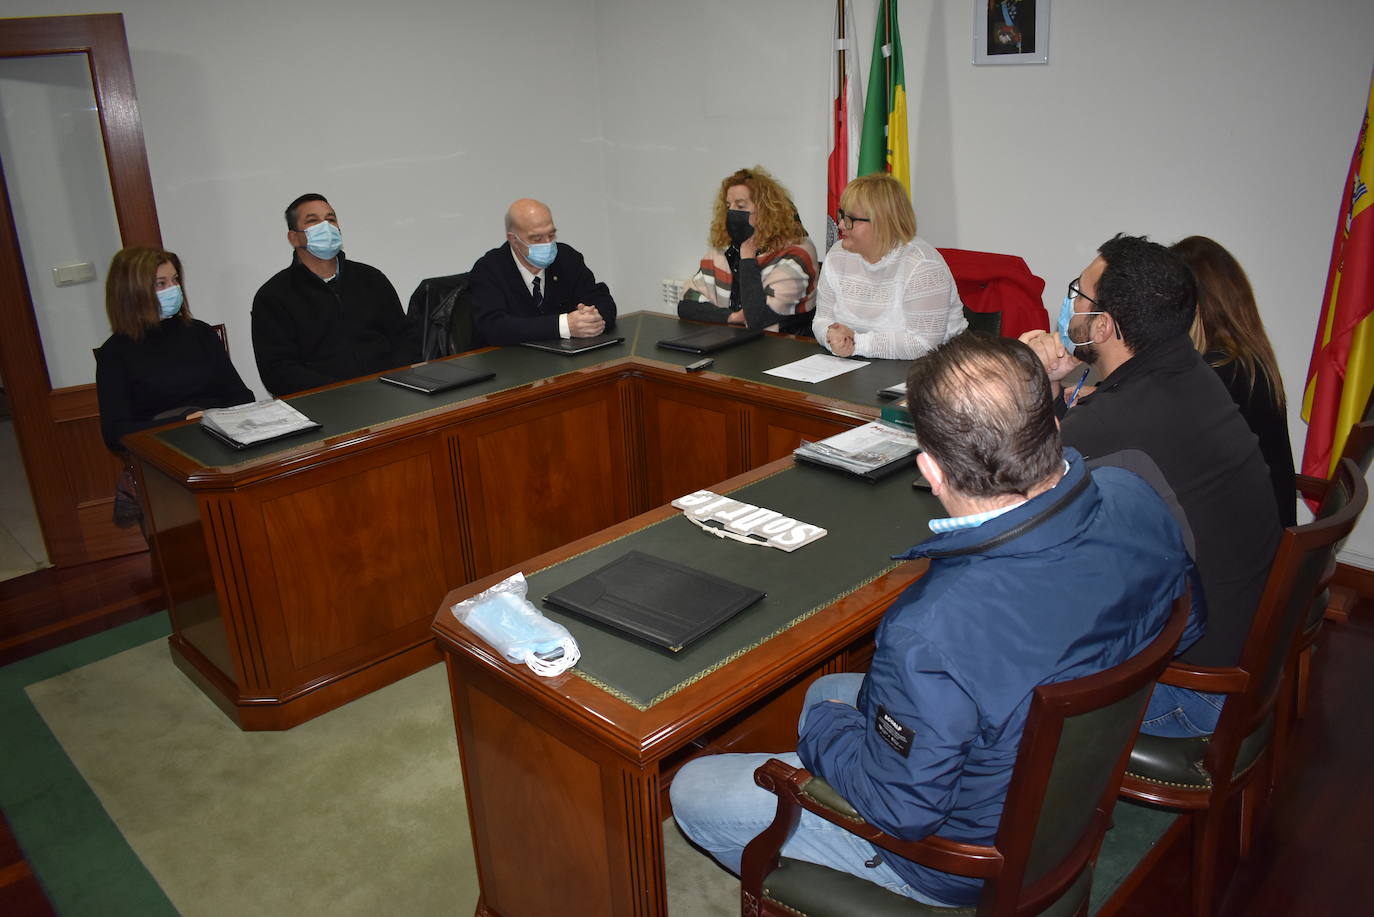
[1061,795]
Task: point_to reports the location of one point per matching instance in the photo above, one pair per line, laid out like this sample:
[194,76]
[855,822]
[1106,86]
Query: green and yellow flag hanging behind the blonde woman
[886,118]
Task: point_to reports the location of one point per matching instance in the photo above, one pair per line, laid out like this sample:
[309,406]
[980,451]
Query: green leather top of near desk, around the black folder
[866,523]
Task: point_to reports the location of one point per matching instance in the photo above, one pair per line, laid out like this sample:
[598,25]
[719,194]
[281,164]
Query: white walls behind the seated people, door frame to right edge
[424,119]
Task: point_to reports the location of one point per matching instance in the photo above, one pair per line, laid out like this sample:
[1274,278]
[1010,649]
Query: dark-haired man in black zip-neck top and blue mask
[325,320]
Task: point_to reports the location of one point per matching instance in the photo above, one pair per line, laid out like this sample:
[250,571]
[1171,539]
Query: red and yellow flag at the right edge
[1342,373]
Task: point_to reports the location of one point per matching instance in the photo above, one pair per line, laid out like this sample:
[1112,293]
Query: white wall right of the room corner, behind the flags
[1233,119]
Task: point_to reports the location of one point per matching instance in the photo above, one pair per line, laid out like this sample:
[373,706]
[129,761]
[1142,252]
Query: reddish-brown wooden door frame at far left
[102,39]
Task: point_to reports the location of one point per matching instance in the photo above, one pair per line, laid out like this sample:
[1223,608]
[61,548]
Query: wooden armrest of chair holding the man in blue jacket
[817,797]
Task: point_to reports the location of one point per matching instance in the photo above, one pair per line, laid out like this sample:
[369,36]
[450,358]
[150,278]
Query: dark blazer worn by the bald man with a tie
[504,310]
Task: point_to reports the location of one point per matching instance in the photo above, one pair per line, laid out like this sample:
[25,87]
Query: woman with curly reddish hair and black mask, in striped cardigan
[762,269]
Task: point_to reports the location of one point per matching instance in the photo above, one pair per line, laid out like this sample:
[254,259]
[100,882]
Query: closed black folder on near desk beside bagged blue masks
[655,600]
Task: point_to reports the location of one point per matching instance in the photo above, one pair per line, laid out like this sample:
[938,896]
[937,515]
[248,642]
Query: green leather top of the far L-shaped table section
[369,404]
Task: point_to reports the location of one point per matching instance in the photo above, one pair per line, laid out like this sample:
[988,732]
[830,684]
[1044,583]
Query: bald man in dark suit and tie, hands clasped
[535,288]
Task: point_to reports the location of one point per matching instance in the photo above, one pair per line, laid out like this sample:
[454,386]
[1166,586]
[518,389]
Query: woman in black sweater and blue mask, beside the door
[160,365]
